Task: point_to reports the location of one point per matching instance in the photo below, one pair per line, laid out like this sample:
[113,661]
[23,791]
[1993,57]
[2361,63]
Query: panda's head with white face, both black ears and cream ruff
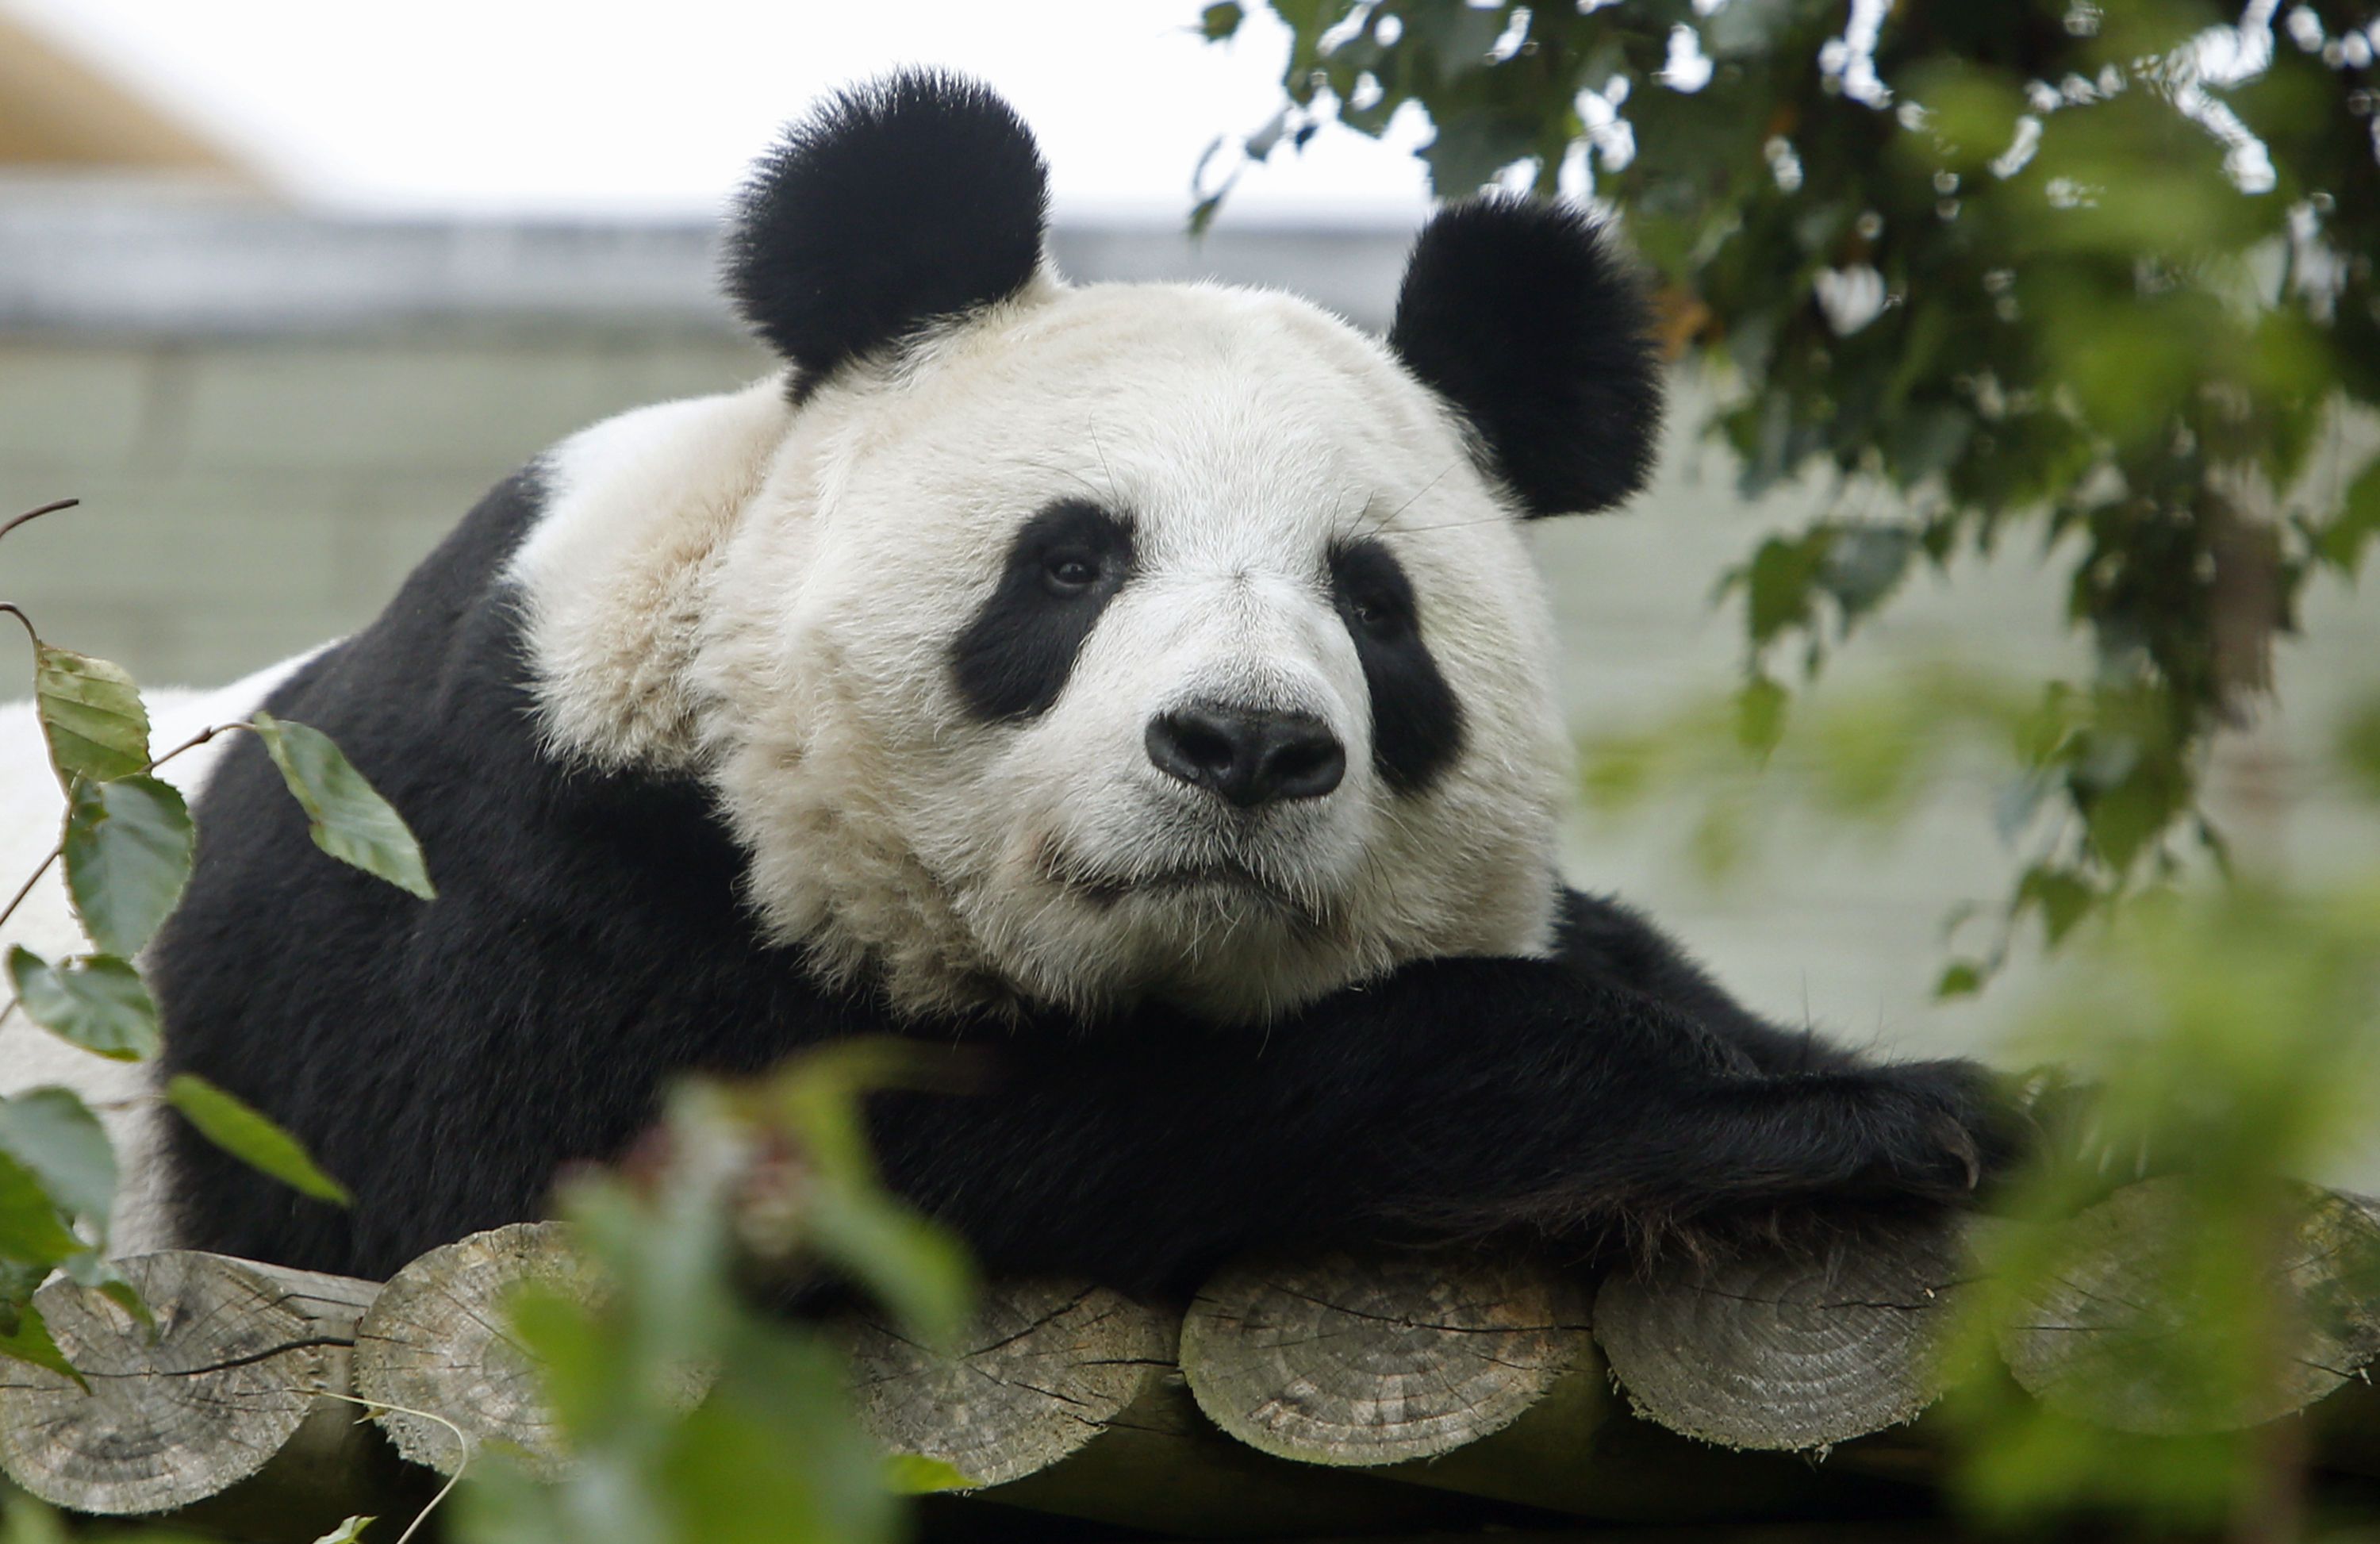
[1098,644]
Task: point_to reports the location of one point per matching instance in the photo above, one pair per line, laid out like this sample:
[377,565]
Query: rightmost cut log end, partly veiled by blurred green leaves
[2096,1338]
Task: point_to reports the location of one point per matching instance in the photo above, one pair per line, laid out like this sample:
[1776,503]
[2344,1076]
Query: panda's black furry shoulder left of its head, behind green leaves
[587,943]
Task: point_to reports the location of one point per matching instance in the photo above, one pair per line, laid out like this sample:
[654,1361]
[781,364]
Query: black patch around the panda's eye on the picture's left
[1063,570]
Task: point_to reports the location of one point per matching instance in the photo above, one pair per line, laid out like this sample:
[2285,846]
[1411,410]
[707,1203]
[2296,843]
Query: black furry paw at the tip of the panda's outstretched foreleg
[1946,1131]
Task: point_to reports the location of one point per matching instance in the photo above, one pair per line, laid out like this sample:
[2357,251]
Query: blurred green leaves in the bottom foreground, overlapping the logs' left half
[691,1417]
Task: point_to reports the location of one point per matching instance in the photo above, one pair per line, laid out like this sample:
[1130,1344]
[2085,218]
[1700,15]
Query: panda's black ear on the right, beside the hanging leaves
[1527,320]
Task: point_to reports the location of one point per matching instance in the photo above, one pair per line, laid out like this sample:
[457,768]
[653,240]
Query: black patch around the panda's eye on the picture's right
[1417,727]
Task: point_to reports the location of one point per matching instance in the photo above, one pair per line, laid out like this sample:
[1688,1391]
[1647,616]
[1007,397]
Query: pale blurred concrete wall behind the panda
[256,487]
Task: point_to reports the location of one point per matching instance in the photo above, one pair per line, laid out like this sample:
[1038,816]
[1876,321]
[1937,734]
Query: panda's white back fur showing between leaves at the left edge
[32,808]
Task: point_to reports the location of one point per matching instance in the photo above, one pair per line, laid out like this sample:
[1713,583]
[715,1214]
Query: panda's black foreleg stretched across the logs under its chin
[1451,1100]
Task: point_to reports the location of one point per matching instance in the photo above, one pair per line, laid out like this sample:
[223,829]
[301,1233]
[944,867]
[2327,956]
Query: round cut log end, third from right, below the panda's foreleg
[1360,1362]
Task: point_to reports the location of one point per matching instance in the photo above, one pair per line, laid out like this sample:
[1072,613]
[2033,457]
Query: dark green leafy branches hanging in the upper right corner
[2105,270]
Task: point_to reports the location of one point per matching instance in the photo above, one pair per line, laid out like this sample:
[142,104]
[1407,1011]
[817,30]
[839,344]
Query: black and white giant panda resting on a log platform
[1146,686]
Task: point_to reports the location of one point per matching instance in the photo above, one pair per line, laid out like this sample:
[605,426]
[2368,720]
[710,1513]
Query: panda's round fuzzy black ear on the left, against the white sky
[891,206]
